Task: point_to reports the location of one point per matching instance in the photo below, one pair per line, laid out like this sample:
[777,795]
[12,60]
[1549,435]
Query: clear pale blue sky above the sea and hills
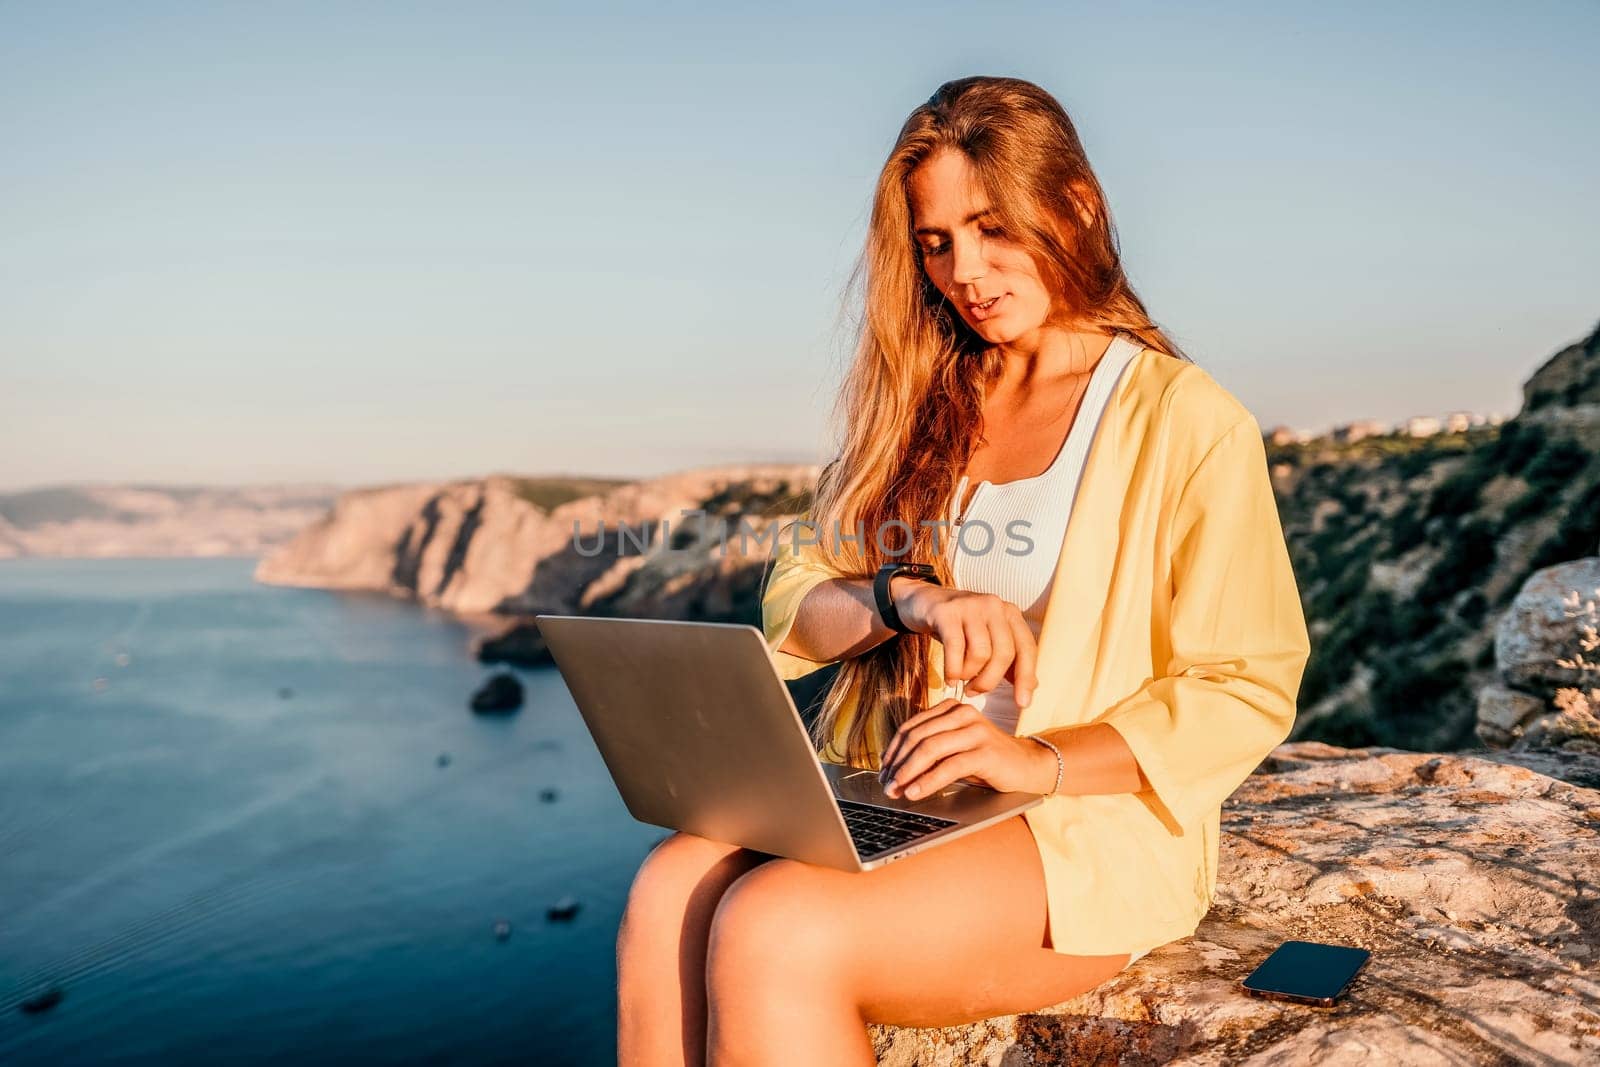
[370,242]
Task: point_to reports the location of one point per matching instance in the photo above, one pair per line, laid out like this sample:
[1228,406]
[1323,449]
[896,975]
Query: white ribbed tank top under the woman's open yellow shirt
[1010,540]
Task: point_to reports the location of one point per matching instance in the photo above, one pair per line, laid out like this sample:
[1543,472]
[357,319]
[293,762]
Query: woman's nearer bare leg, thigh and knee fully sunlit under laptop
[802,957]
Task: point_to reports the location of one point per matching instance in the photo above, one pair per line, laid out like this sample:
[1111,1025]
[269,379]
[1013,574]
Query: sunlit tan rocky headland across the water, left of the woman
[514,546]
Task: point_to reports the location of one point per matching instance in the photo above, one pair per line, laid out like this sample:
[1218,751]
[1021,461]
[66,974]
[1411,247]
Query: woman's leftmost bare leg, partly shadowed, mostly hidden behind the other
[662,949]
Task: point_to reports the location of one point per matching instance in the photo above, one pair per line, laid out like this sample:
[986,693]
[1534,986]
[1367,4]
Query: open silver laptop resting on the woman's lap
[702,735]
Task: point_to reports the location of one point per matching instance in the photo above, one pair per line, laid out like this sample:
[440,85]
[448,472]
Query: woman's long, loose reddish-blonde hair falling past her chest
[911,404]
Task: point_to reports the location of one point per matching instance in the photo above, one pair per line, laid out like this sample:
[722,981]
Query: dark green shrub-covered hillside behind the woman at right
[1410,549]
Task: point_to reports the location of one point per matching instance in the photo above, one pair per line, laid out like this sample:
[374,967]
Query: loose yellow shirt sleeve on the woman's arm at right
[1238,639]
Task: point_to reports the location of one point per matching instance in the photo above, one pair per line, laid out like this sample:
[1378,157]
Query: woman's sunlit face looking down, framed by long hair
[967,258]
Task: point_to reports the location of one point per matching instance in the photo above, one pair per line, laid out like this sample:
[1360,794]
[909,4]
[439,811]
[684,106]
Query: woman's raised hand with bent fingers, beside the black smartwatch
[985,639]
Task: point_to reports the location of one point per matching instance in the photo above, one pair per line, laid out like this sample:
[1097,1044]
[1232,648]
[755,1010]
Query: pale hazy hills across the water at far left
[151,521]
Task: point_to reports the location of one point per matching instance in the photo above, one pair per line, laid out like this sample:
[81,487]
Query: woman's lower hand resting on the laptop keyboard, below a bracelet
[956,741]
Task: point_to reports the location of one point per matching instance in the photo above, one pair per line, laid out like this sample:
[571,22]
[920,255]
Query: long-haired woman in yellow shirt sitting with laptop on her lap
[1148,658]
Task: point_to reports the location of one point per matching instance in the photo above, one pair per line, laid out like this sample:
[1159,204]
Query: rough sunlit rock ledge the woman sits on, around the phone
[1471,879]
